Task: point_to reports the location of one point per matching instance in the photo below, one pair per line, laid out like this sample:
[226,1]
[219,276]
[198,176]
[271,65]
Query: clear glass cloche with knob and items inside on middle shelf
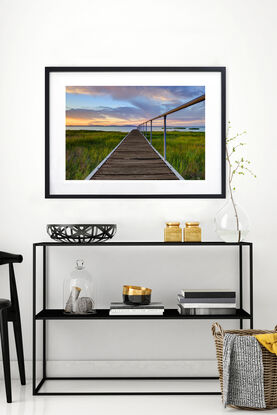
[78,291]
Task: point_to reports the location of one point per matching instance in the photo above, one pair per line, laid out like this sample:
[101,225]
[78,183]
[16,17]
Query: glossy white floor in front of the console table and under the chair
[26,404]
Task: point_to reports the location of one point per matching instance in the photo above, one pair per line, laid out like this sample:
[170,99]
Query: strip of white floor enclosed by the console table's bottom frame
[128,386]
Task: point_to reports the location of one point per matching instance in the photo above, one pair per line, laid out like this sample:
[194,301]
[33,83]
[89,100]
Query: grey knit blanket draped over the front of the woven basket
[243,372]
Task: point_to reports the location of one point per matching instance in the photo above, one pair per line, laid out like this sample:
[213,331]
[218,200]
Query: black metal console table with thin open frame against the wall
[46,314]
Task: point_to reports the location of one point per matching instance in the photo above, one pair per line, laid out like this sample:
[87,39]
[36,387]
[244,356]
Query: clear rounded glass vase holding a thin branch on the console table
[232,224]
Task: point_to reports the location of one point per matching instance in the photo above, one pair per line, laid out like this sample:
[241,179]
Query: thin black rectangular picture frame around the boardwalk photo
[221,70]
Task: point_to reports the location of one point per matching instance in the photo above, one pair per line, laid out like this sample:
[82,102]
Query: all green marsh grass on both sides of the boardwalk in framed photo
[86,149]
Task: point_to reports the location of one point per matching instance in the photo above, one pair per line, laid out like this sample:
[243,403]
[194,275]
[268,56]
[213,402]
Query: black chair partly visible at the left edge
[9,311]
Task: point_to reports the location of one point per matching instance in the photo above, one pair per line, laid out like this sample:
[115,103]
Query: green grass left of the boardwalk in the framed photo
[86,149]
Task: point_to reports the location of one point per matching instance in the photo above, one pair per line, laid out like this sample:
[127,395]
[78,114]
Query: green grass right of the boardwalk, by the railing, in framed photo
[185,151]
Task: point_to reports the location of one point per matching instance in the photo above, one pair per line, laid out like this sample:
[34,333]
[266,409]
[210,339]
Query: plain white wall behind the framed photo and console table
[240,35]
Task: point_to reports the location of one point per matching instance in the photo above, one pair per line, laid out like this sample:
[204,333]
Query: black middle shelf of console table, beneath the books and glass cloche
[103,314]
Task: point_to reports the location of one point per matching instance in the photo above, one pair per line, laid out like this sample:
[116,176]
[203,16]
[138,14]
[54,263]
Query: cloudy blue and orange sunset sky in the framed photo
[131,105]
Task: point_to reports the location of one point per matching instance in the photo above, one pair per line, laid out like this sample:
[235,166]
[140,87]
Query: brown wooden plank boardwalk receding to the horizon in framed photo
[134,159]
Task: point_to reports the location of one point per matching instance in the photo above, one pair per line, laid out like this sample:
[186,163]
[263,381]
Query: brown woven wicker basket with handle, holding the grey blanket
[269,363]
